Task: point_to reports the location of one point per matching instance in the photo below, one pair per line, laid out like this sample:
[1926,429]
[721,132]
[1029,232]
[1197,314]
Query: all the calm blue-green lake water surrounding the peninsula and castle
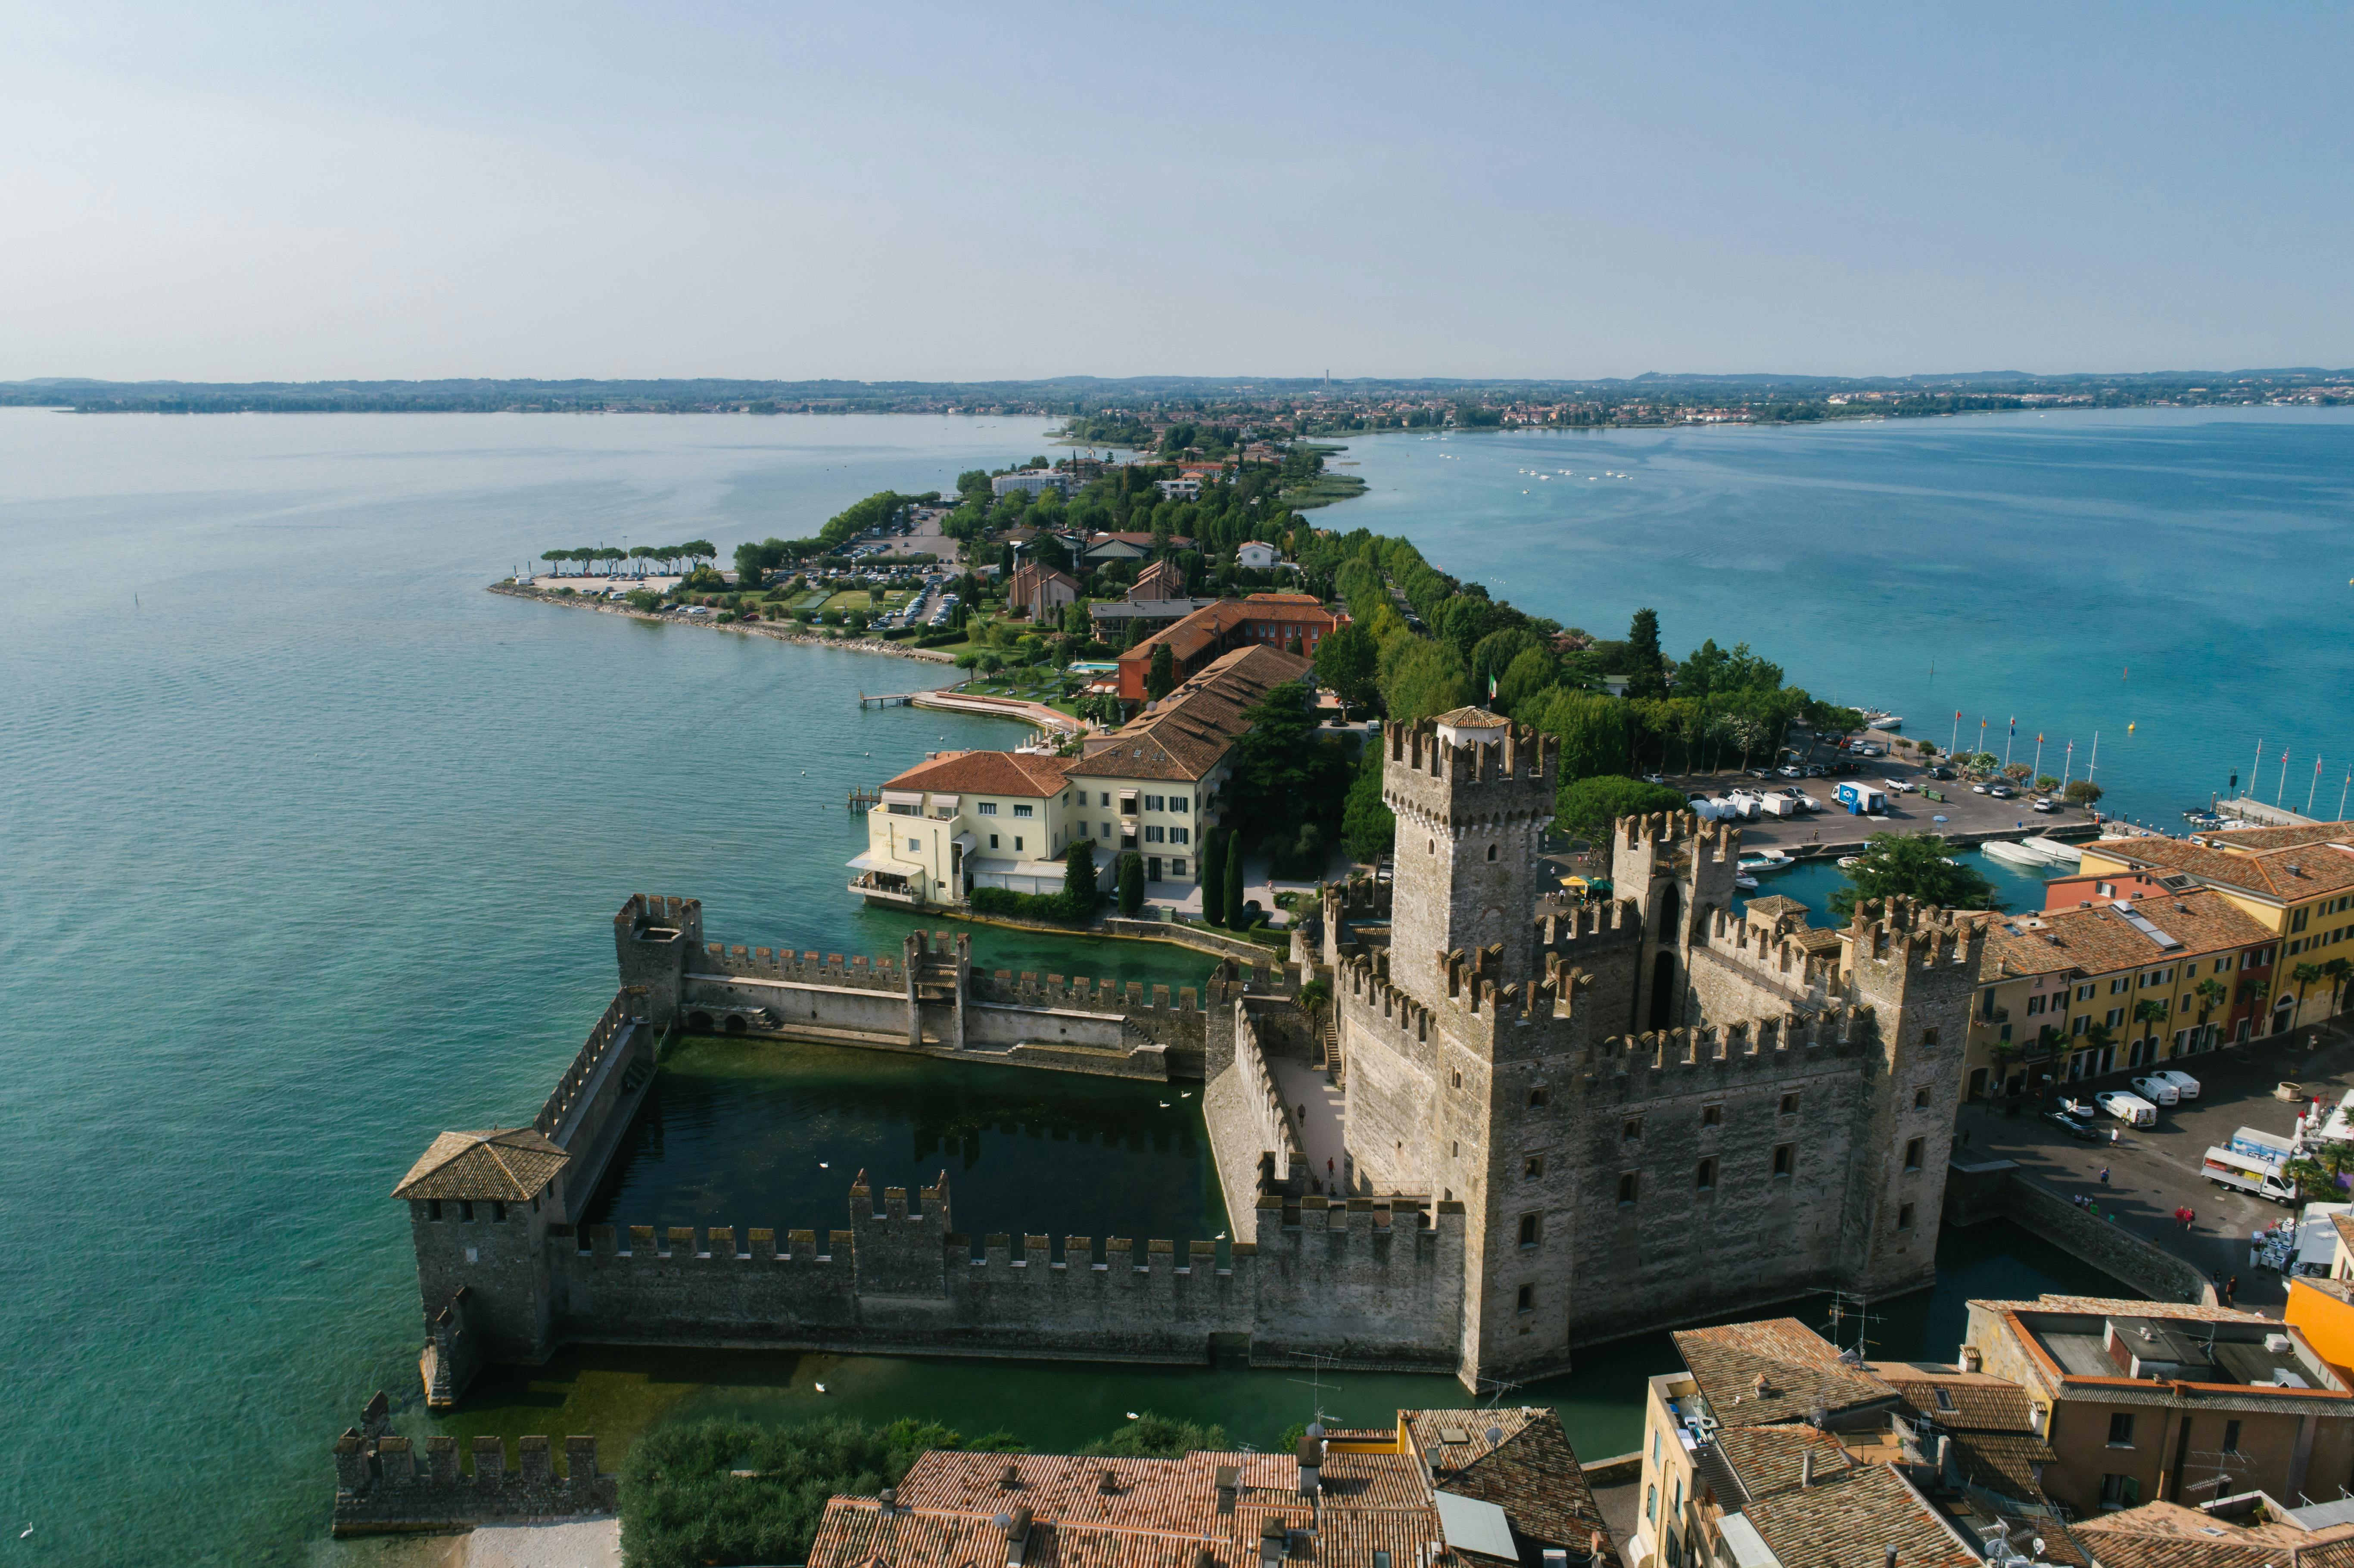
[314,849]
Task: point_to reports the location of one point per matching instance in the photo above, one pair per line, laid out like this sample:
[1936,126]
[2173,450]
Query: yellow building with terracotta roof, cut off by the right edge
[2294,882]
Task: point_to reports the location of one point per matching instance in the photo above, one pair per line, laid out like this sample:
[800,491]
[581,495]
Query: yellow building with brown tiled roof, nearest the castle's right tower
[2110,983]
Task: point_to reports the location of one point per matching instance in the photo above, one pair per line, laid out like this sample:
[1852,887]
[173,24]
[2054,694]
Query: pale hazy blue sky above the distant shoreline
[1004,192]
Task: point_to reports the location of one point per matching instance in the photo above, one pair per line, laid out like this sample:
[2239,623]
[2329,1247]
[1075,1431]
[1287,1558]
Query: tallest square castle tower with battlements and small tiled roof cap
[1472,797]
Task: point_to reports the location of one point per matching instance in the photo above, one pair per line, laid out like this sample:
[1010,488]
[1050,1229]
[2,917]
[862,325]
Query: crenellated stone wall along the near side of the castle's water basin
[1369,1284]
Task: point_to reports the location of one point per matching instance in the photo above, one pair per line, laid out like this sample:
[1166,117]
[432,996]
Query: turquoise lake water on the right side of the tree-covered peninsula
[2179,571]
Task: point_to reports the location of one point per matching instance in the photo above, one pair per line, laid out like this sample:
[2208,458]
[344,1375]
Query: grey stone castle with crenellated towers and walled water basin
[1564,1124]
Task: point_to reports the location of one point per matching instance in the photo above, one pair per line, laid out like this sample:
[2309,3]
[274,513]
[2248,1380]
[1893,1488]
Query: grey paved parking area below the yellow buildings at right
[2155,1171]
